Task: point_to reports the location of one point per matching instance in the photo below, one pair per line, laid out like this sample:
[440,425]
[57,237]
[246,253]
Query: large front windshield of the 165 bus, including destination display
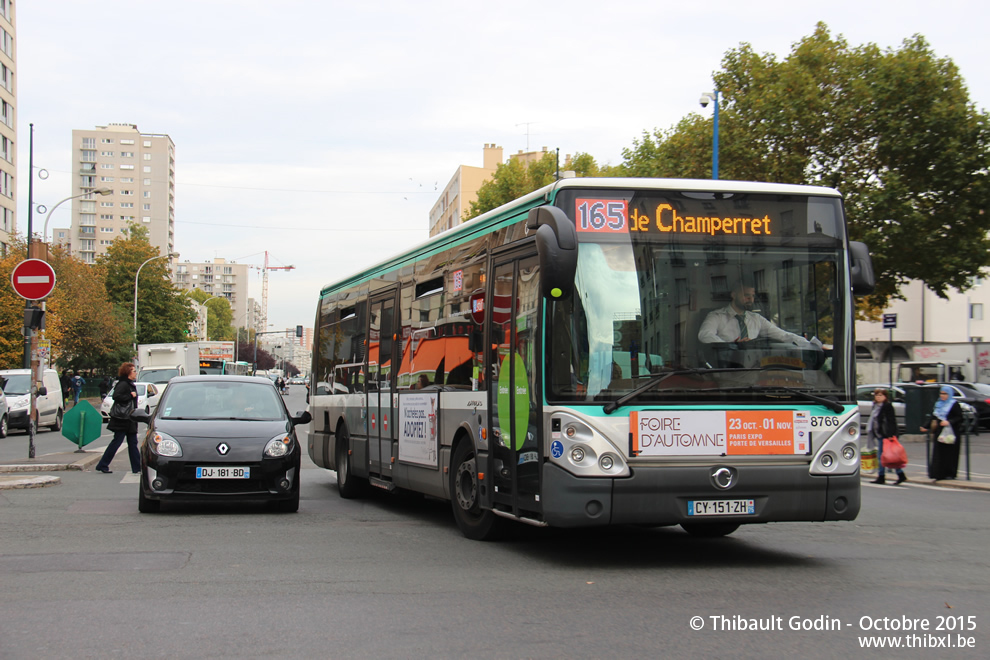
[732,297]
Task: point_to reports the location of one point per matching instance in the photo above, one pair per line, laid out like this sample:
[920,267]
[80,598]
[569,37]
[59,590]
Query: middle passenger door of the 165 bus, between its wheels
[381,384]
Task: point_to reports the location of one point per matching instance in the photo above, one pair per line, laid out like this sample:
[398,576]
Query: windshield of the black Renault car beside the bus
[222,400]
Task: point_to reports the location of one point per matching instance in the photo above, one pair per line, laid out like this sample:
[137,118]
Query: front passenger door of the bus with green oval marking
[512,371]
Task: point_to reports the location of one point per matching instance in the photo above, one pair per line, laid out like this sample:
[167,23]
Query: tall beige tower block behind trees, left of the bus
[139,169]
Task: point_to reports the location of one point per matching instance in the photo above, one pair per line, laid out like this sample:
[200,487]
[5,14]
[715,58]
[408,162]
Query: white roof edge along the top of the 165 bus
[493,219]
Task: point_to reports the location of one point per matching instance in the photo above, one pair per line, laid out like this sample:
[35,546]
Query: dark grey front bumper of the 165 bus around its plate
[660,496]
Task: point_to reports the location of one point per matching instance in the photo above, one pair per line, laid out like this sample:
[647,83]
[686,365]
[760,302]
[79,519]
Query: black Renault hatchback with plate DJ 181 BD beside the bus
[220,438]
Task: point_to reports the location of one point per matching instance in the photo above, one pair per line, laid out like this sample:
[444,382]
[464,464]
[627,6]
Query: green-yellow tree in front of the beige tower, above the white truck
[164,313]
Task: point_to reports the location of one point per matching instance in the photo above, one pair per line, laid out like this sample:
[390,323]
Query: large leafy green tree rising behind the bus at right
[893,130]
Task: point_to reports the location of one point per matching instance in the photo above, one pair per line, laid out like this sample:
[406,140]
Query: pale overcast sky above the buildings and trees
[324,131]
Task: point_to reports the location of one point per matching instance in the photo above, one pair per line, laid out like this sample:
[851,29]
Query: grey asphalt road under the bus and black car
[84,575]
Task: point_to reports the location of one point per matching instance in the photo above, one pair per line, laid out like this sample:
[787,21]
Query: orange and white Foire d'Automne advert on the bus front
[732,433]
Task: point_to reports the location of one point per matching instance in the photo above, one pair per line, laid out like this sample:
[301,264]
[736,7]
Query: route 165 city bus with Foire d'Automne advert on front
[542,363]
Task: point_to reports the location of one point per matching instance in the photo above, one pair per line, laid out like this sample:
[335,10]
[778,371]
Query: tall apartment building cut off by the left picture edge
[8,128]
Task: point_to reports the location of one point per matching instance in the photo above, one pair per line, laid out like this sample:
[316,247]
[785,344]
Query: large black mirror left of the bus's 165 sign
[556,242]
